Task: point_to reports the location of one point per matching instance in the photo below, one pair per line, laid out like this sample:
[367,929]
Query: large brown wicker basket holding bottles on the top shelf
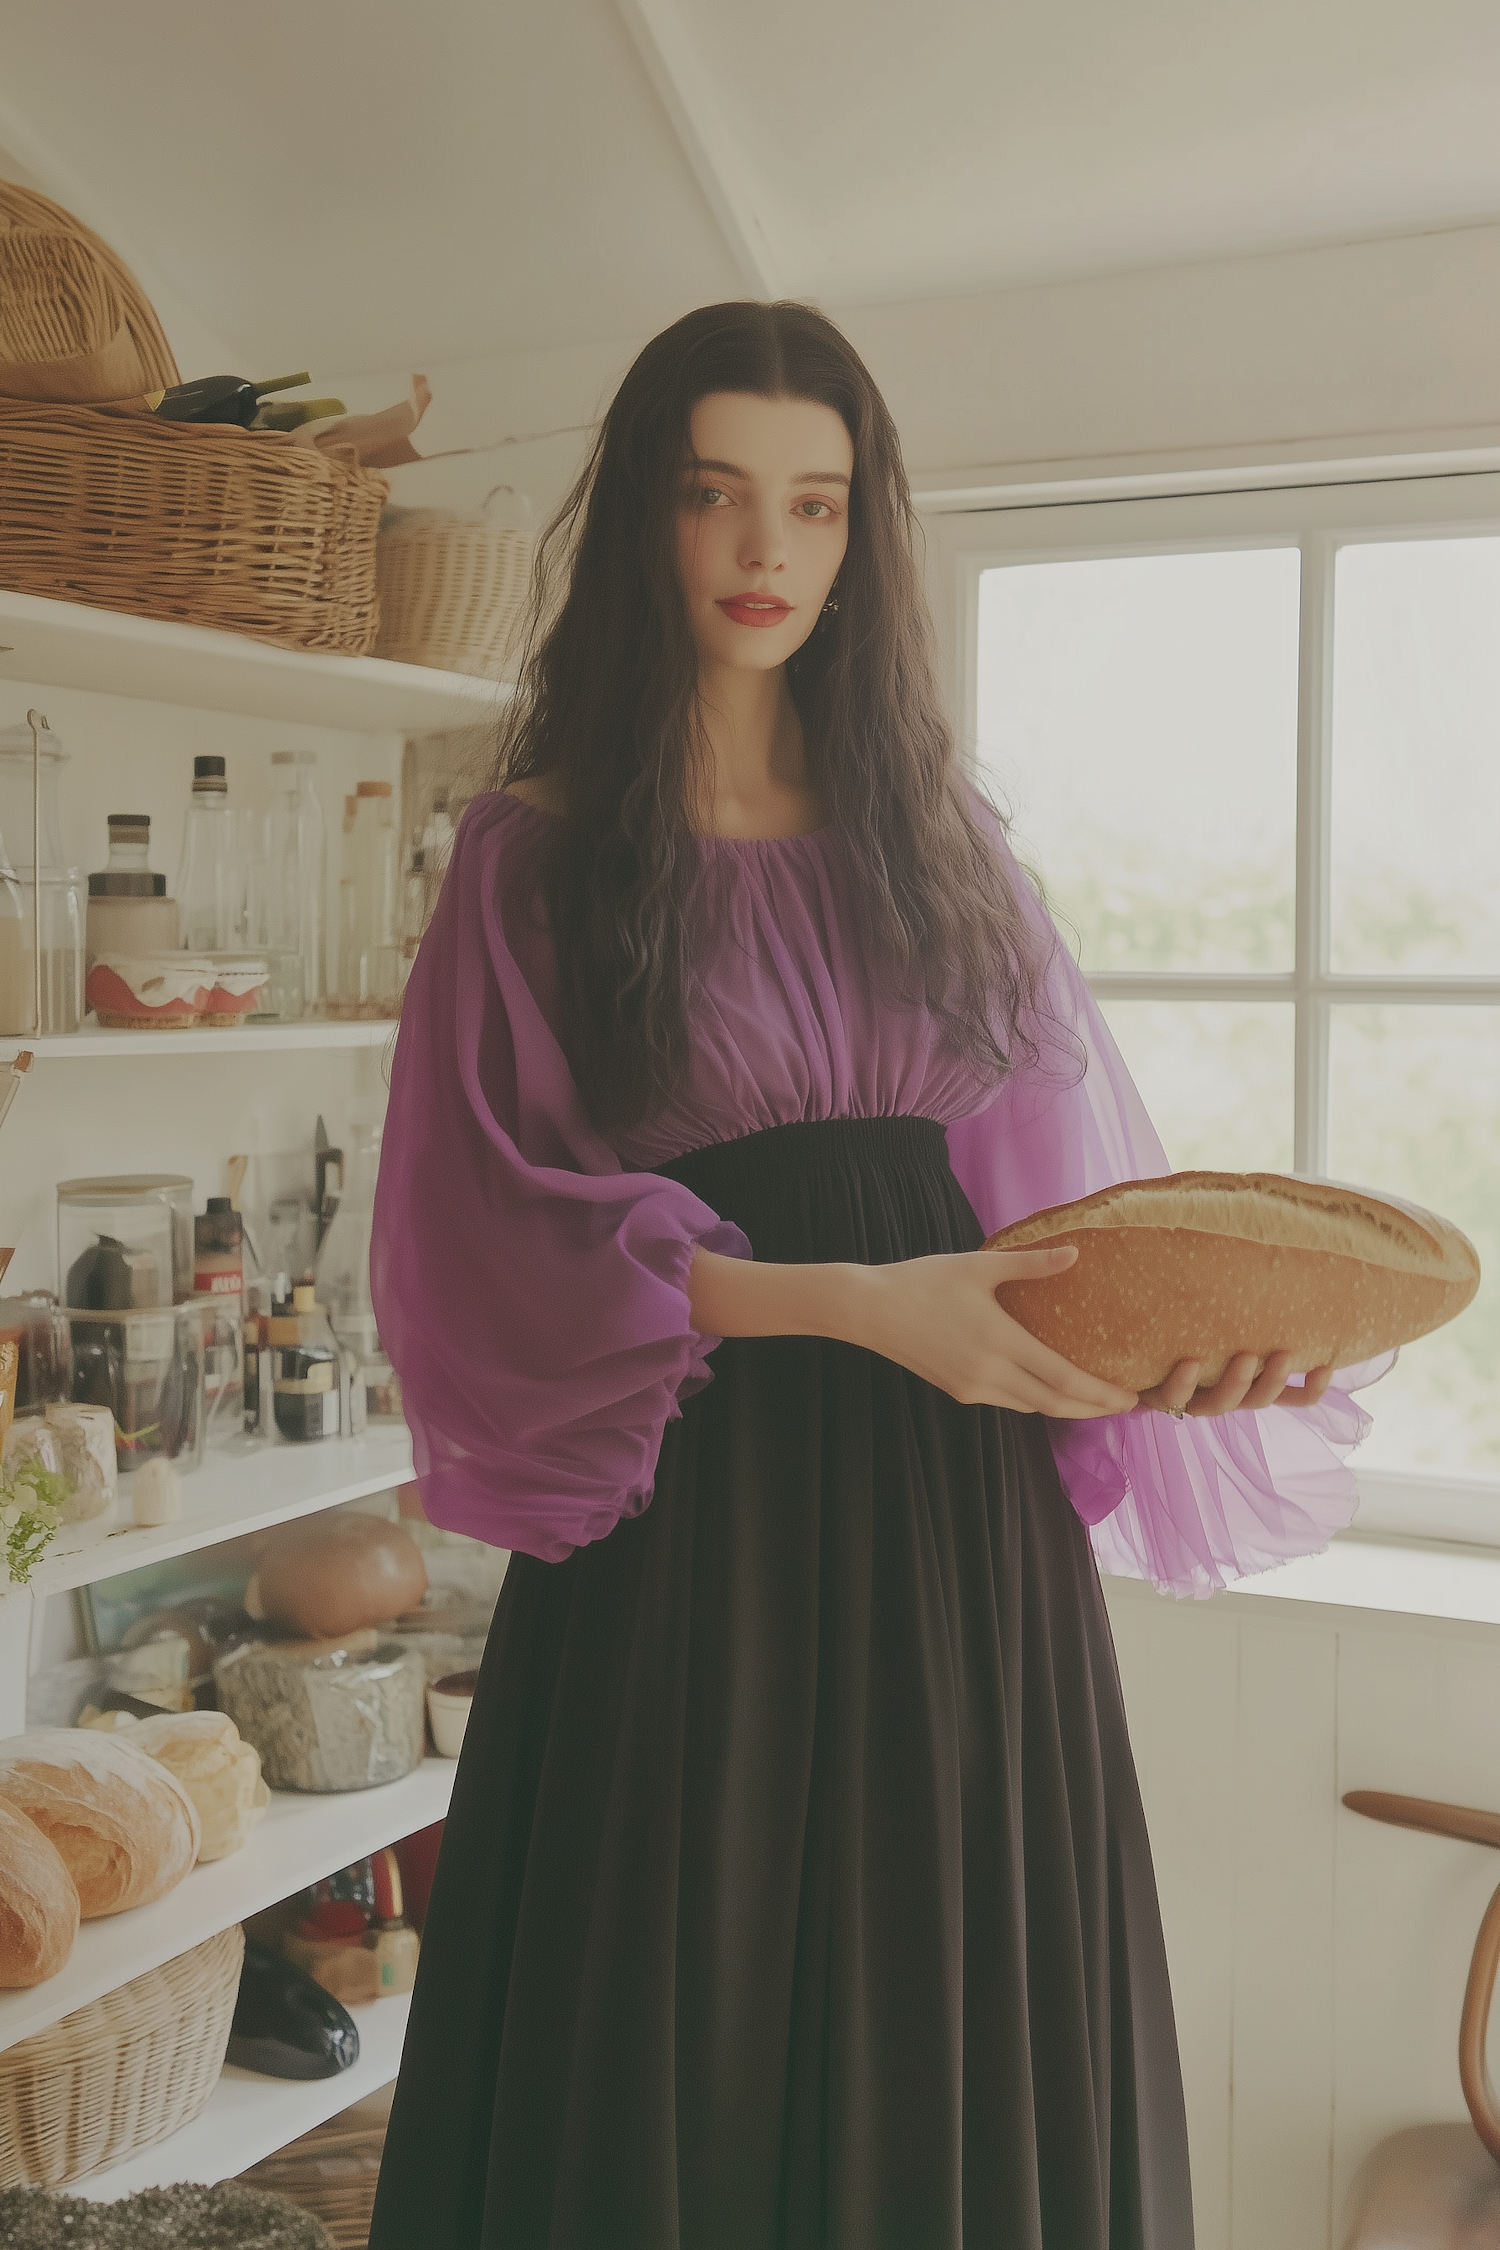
[204,525]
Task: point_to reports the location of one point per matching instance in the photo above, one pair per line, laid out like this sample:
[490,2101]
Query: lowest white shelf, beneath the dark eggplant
[251,2118]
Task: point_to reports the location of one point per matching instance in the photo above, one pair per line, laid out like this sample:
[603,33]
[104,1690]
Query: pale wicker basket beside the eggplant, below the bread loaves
[120,2073]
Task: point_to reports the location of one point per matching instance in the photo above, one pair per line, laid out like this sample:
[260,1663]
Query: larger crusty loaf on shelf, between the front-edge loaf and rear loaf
[123,1824]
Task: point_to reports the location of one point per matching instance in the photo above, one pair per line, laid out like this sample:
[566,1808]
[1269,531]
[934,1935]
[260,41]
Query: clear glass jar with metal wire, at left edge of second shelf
[62,890]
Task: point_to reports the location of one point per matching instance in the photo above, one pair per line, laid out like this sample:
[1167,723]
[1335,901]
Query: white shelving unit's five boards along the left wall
[302,1837]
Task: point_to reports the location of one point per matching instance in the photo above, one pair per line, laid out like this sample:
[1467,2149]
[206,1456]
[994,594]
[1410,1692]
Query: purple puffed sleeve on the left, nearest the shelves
[532,1295]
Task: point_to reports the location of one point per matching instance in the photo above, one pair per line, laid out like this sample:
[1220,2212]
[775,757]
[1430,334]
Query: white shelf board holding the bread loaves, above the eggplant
[298,1842]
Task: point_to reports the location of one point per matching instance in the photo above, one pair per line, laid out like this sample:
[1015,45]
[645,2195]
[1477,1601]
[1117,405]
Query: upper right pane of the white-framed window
[1416,771]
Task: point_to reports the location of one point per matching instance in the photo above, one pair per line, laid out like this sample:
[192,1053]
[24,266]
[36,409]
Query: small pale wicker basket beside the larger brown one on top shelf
[453,591]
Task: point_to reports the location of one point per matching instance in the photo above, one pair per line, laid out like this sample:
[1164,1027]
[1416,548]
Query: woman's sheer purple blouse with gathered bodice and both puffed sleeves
[532,1277]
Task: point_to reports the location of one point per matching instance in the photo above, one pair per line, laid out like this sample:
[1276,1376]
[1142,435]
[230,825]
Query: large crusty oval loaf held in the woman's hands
[1202,1266]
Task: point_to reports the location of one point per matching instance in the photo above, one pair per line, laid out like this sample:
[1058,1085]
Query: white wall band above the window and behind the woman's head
[1368,348]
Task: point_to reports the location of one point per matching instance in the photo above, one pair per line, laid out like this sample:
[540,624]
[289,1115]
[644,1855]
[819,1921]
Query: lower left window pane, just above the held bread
[1216,1079]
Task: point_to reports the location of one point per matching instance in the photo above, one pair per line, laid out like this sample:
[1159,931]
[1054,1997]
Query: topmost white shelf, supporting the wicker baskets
[69,645]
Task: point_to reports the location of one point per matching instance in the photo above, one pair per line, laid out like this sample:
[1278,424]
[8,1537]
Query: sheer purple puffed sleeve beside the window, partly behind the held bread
[1189,1504]
